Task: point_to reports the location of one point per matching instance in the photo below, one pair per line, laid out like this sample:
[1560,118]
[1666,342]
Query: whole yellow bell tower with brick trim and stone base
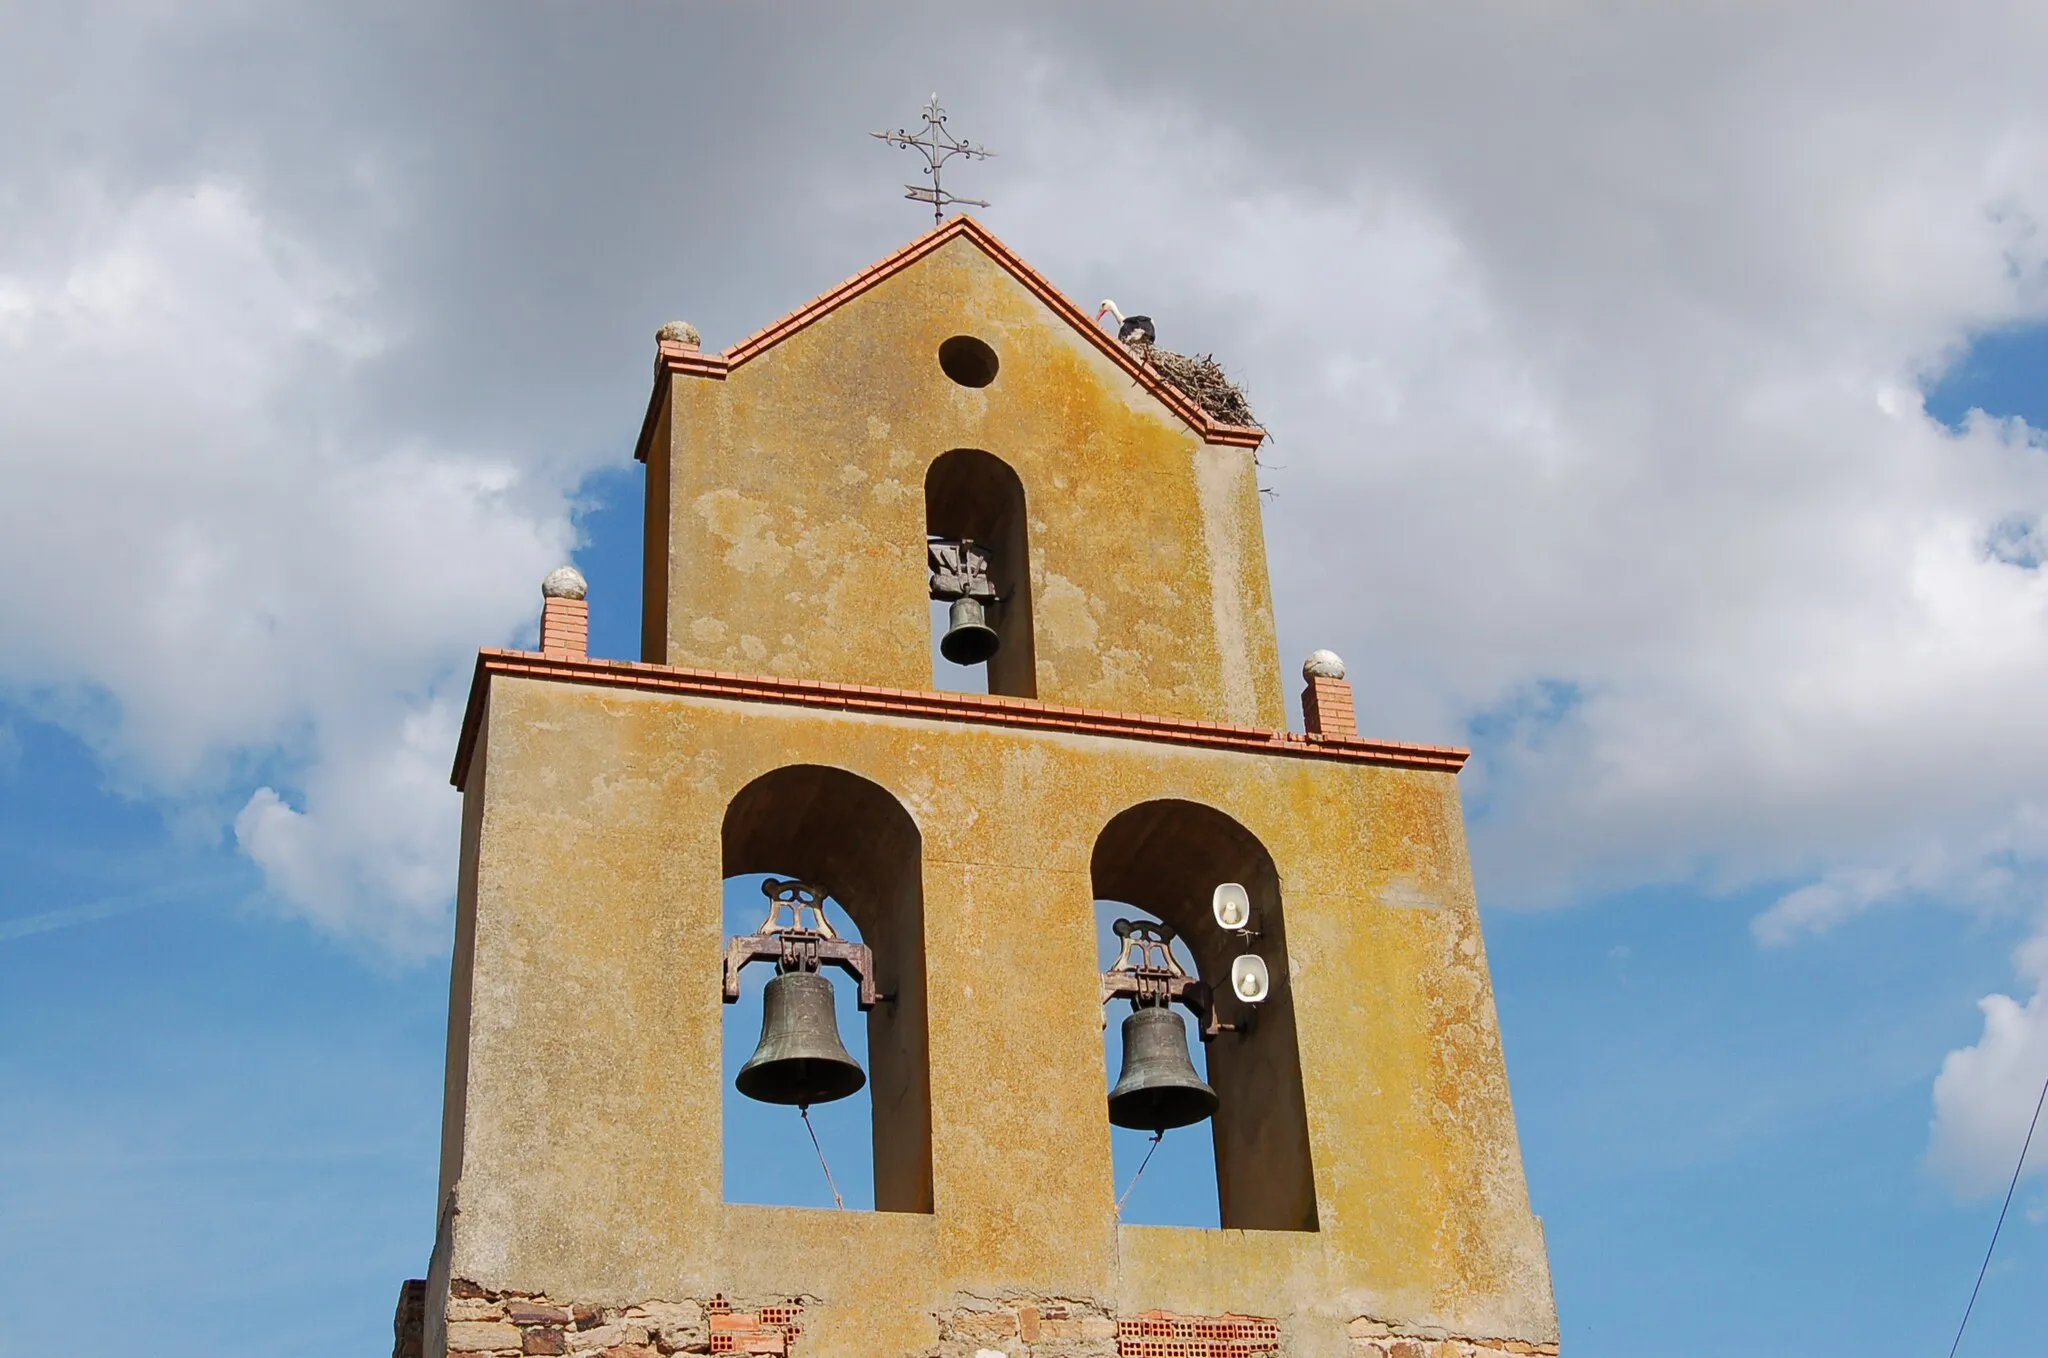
[949,425]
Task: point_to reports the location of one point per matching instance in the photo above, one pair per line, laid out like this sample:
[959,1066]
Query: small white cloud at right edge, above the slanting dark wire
[1986,1095]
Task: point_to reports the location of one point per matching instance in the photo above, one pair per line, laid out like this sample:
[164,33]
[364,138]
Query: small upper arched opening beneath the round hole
[972,495]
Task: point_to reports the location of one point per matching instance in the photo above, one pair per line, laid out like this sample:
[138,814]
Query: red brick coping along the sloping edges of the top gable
[683,359]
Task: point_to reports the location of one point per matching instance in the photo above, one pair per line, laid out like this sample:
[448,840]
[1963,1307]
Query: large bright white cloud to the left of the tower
[196,534]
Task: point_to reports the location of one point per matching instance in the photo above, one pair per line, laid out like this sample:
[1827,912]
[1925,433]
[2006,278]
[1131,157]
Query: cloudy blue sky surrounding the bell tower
[1623,376]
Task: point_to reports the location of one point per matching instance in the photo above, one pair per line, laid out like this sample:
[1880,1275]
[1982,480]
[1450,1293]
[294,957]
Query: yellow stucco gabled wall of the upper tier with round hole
[796,507]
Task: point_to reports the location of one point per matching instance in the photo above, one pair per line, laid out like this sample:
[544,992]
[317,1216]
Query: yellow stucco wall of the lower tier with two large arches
[591,1158]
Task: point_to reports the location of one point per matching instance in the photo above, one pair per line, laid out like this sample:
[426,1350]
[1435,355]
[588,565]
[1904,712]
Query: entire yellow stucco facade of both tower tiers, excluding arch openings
[785,536]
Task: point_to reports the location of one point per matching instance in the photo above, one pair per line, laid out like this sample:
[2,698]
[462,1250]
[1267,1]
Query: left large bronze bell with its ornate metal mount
[800,1058]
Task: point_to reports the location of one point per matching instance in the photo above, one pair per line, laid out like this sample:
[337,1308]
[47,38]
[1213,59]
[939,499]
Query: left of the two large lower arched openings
[853,839]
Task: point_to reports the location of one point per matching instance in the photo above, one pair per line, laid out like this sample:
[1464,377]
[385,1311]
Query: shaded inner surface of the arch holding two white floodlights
[1166,859]
